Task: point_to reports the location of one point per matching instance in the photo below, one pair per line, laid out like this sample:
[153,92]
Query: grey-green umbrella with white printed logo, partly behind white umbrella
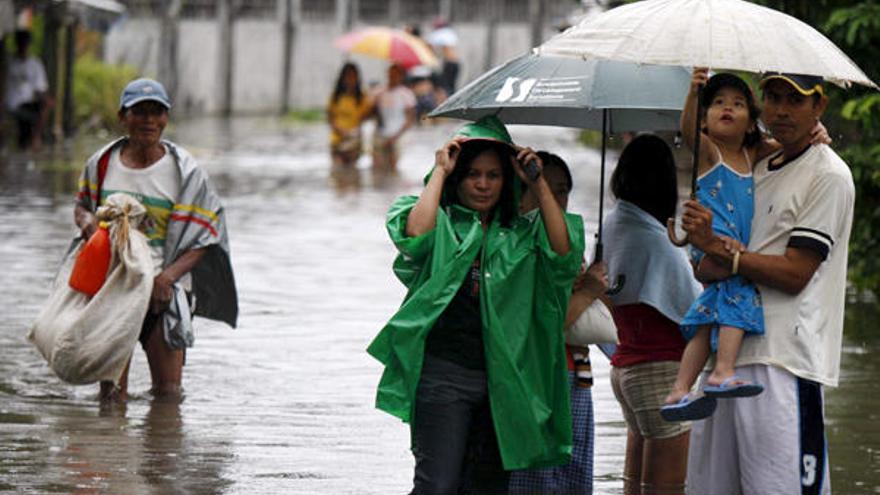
[606,95]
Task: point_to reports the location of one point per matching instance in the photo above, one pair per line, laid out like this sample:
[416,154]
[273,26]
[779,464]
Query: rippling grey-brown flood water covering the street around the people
[284,403]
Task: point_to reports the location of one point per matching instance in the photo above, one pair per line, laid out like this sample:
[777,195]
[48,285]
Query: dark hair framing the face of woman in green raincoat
[506,206]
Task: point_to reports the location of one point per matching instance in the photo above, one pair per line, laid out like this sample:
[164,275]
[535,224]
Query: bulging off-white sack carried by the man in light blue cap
[89,339]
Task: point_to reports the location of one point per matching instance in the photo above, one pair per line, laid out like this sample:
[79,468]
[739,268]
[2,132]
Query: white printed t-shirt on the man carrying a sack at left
[156,187]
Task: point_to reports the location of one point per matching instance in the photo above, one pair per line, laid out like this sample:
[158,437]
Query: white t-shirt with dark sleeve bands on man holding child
[806,202]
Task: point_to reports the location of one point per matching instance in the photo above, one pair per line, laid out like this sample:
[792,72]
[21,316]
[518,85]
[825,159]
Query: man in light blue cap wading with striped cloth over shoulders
[185,227]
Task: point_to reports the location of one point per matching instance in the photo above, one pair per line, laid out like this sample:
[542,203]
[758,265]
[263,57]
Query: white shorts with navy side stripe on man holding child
[773,443]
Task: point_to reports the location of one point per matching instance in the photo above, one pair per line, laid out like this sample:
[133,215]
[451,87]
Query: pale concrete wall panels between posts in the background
[257,66]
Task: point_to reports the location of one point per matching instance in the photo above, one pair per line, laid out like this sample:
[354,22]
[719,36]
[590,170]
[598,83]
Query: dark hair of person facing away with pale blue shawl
[645,176]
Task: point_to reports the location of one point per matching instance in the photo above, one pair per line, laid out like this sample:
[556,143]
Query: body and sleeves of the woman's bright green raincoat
[524,295]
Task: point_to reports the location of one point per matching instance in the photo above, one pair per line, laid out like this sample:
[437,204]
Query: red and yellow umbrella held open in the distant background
[394,45]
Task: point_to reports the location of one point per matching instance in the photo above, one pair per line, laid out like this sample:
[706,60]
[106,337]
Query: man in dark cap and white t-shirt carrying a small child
[797,255]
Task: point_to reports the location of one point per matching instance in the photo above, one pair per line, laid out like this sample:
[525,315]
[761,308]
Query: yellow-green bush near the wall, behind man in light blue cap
[96,90]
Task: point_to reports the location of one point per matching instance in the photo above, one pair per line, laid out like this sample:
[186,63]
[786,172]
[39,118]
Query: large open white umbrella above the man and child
[719,34]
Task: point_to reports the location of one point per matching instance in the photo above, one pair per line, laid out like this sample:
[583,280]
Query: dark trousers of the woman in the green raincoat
[454,441]
